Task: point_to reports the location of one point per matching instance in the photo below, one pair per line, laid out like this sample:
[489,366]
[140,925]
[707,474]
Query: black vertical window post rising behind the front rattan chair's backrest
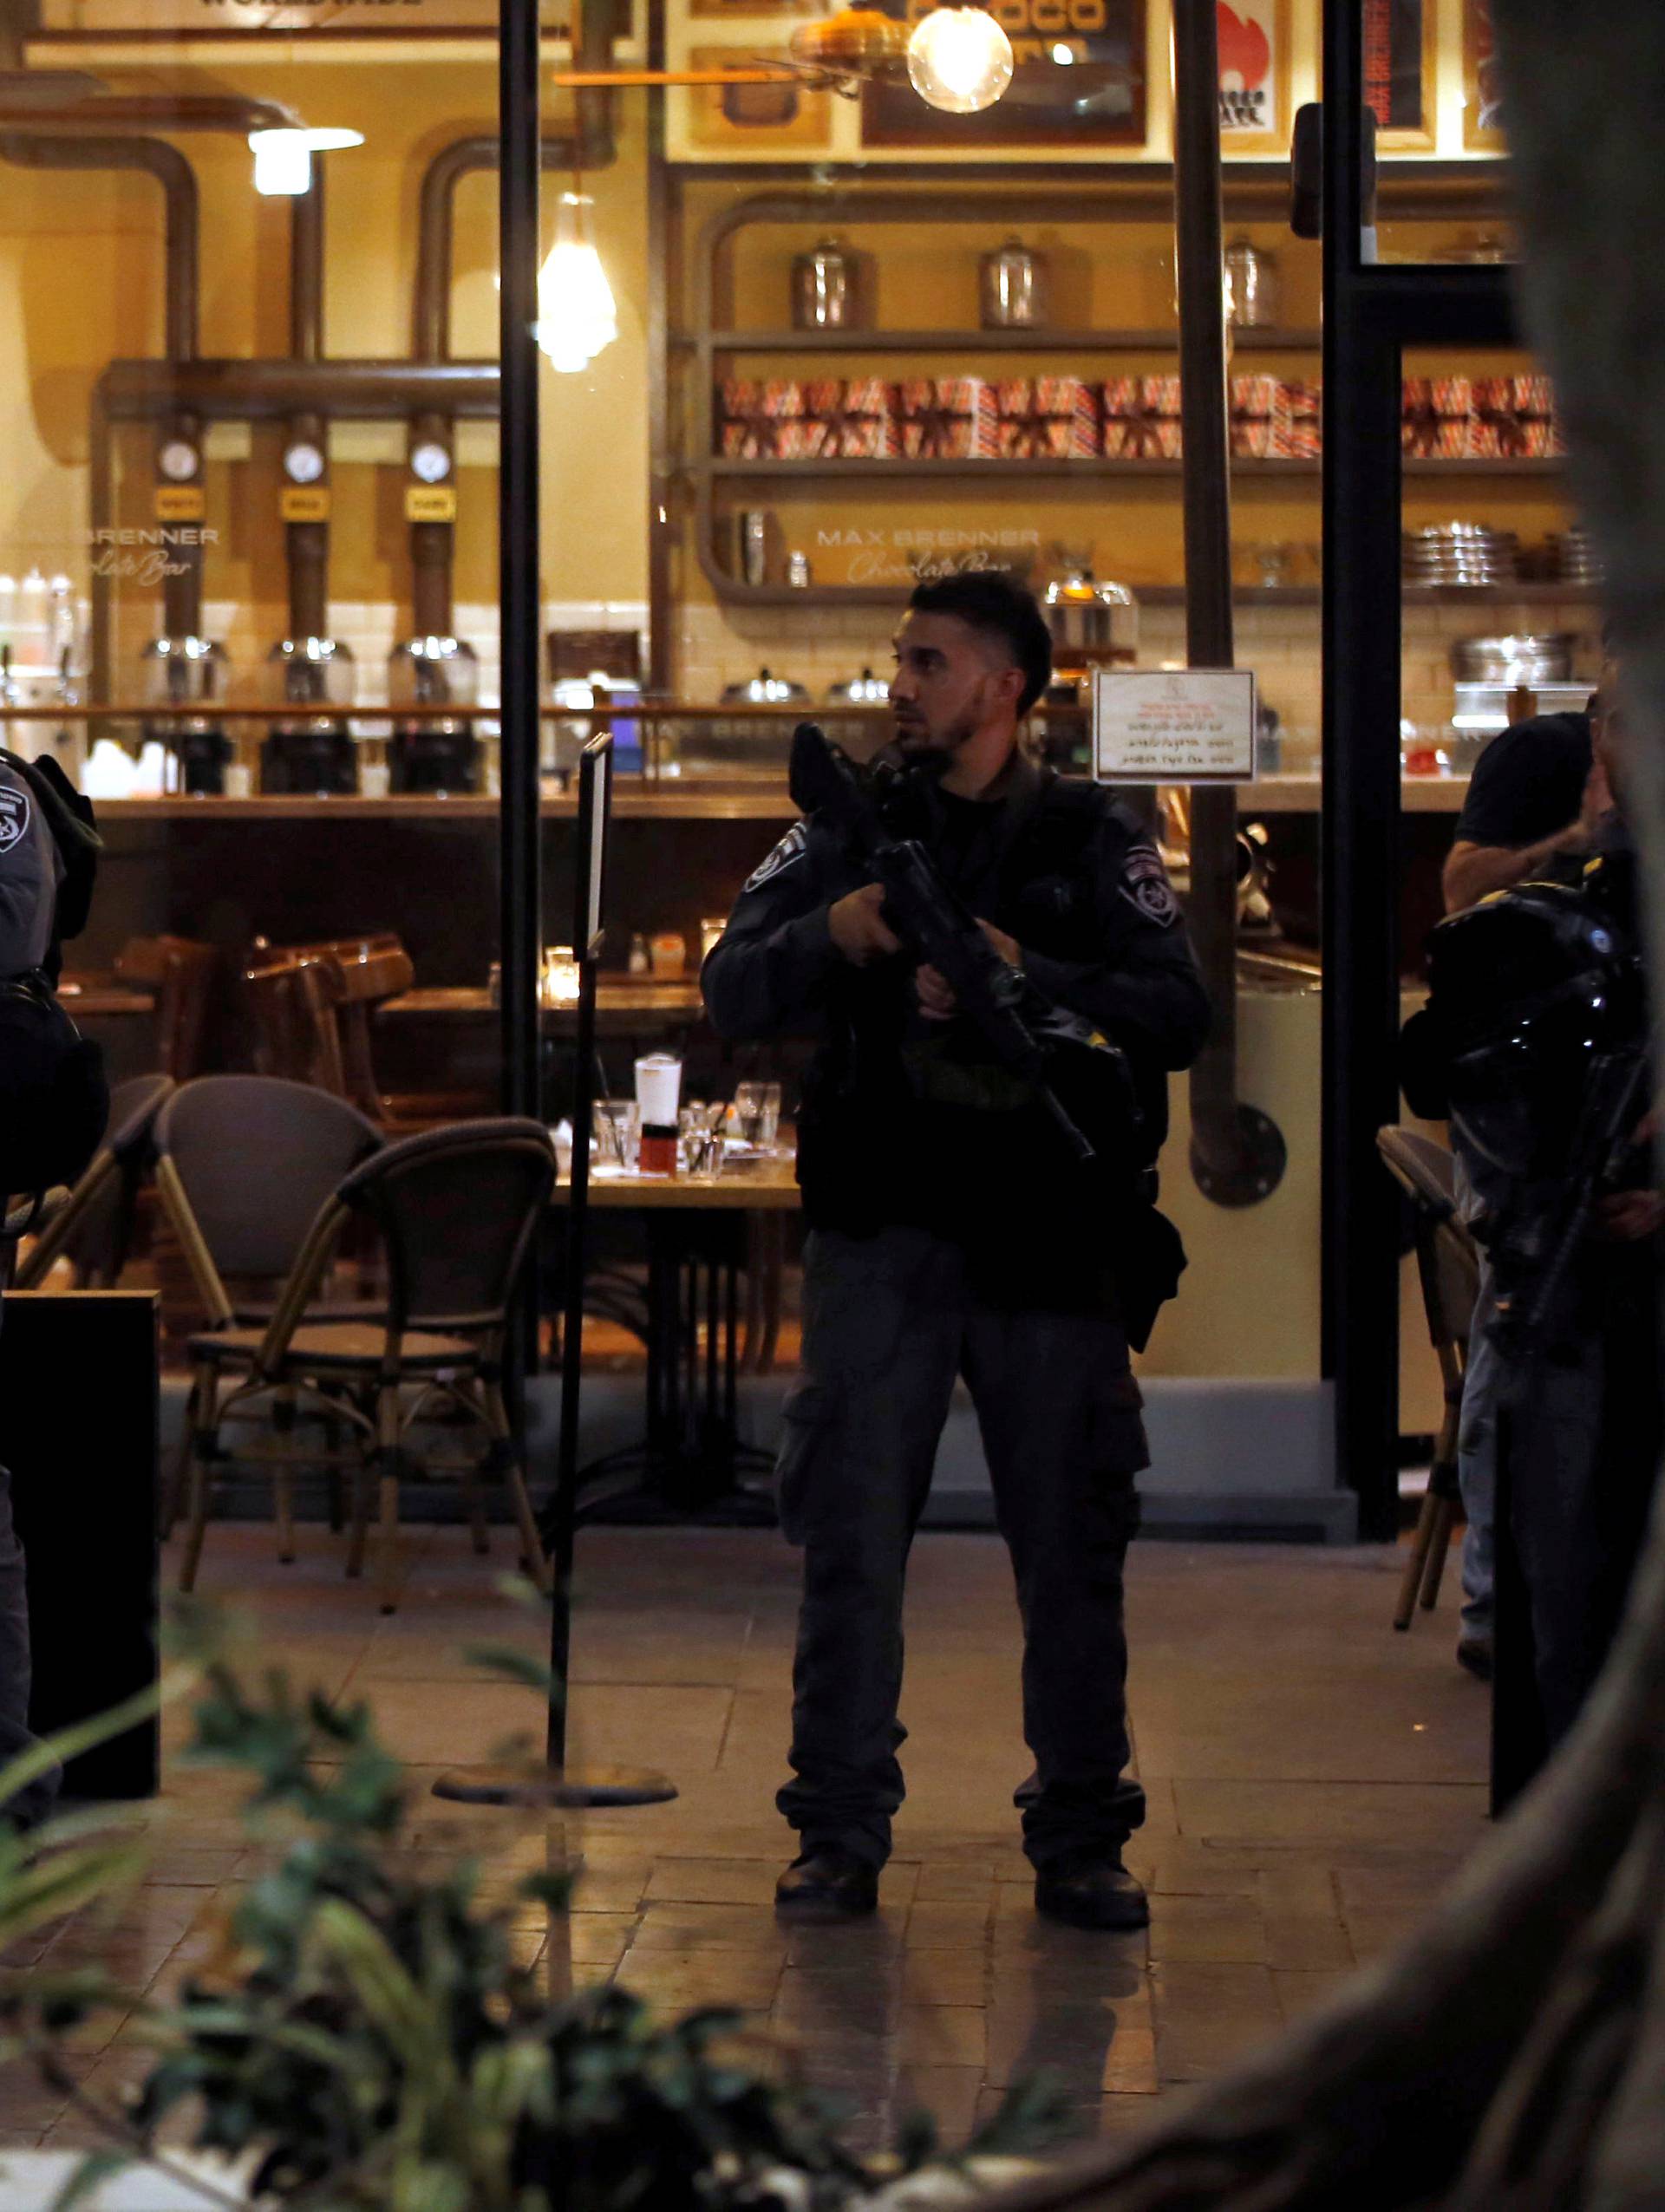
[519,545]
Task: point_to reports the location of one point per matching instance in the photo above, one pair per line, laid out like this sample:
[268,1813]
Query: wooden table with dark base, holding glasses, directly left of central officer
[702,1233]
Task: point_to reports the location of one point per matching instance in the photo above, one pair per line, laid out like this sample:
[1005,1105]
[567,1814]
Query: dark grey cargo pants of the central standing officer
[888,1326]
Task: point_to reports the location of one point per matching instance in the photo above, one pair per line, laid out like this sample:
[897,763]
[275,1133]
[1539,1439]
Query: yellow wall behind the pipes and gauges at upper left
[81,284]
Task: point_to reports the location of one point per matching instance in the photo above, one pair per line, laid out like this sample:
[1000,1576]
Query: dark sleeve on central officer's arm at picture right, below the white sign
[1144,988]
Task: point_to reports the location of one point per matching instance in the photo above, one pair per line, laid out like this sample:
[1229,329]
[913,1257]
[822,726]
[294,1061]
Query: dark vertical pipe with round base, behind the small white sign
[1237,1154]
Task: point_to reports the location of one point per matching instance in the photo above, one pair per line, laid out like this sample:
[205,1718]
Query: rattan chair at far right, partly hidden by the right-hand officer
[1449,1271]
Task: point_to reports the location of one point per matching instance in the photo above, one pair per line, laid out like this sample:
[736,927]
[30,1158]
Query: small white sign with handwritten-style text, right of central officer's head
[1173,724]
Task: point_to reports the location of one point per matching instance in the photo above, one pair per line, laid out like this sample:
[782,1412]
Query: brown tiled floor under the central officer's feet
[1312,1784]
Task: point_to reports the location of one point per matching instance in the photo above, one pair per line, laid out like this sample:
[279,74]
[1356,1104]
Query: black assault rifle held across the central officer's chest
[936,928]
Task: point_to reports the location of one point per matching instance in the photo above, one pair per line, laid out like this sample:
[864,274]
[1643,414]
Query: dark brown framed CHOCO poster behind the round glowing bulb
[1096,101]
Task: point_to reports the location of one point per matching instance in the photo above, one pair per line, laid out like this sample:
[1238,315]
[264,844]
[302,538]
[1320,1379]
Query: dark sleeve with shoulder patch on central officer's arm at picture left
[771,970]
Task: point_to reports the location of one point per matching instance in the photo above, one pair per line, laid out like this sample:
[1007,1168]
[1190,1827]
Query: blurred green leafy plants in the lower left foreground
[366,2032]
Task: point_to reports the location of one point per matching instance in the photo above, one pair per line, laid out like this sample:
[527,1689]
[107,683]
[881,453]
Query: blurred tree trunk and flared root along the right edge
[1514,2056]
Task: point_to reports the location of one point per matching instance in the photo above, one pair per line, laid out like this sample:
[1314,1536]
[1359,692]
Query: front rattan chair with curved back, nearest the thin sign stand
[457,1213]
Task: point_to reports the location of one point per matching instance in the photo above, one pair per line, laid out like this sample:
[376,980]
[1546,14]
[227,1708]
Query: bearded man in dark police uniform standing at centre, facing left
[954,1233]
